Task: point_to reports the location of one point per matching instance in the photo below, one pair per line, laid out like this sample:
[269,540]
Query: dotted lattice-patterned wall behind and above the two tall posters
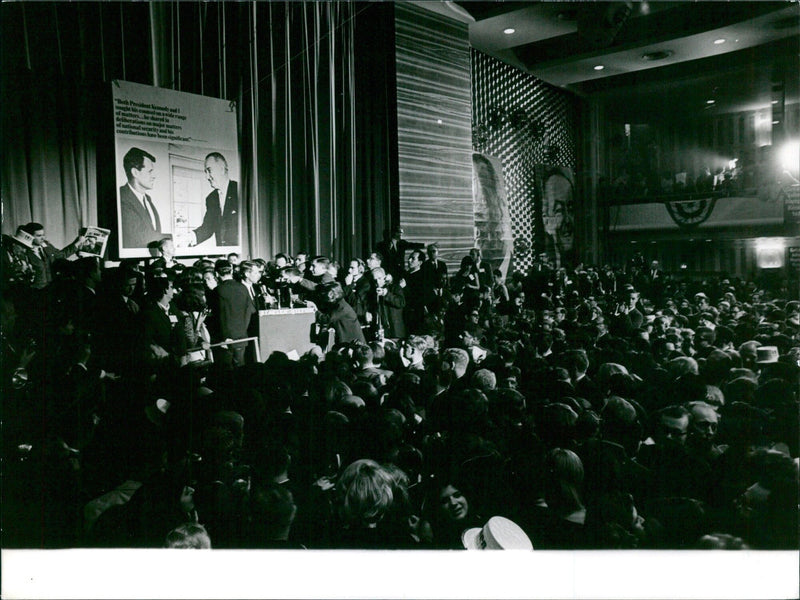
[525,122]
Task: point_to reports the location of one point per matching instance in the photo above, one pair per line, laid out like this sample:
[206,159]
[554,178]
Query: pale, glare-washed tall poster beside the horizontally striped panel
[492,218]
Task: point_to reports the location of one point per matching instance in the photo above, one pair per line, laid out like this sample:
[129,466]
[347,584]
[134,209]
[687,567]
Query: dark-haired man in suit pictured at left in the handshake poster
[141,223]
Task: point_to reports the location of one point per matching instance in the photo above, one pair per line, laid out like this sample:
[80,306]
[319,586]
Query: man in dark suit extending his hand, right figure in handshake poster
[222,206]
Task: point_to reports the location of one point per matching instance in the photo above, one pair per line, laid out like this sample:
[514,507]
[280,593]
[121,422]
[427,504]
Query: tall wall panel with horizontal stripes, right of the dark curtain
[434,111]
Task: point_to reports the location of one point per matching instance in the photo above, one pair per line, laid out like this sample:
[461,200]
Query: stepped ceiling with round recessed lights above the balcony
[563,42]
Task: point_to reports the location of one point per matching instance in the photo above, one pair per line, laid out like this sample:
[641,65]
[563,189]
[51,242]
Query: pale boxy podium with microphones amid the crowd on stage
[285,329]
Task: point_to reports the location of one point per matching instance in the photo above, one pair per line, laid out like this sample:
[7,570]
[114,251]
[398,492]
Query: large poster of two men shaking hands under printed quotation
[178,165]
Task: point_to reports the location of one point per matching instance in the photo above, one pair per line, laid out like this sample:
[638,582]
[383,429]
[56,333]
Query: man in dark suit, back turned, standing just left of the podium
[232,308]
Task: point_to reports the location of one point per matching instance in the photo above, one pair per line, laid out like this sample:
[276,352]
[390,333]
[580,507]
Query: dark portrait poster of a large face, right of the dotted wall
[555,190]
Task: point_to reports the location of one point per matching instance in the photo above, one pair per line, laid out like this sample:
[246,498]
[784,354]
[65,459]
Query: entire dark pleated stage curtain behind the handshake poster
[313,82]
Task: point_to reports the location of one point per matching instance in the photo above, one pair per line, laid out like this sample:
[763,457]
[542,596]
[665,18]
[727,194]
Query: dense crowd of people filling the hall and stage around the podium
[581,408]
